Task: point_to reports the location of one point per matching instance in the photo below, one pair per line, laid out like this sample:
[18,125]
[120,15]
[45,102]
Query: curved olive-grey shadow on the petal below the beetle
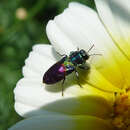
[85,105]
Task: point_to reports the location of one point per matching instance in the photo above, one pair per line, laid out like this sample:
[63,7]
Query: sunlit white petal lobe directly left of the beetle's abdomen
[39,61]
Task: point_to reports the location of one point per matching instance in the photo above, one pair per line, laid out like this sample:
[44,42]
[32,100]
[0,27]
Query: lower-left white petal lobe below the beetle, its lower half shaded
[32,98]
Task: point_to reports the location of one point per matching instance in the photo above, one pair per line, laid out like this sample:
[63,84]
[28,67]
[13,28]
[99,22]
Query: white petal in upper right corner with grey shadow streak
[115,14]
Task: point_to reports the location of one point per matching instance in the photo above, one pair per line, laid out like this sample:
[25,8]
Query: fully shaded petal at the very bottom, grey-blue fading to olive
[62,122]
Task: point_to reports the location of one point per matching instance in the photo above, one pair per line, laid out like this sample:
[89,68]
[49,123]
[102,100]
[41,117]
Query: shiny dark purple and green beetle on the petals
[66,66]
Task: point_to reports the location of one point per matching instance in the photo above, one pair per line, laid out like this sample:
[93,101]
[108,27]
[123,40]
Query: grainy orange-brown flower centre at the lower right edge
[121,111]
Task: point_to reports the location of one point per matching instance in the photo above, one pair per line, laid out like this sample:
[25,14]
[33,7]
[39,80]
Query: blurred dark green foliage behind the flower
[17,36]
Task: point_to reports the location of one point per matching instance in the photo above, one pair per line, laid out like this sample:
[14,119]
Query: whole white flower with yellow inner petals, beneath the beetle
[90,107]
